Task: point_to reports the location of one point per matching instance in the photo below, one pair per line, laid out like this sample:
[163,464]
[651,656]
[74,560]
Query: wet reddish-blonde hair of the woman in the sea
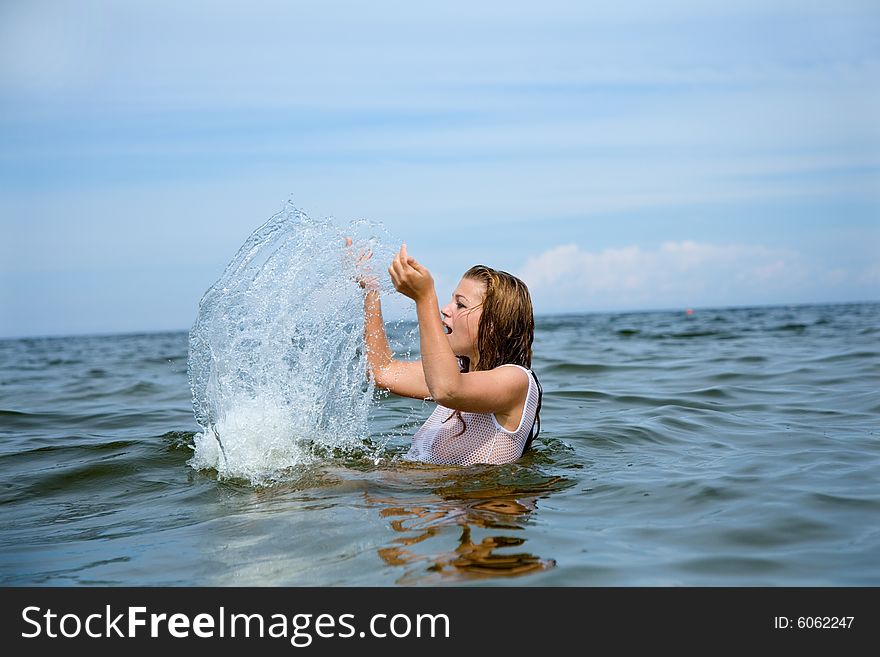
[507,326]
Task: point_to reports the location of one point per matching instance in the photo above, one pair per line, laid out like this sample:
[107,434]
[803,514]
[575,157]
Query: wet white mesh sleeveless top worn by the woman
[440,439]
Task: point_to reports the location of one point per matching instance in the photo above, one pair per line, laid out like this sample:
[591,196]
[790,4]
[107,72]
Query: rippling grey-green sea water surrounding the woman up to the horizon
[726,447]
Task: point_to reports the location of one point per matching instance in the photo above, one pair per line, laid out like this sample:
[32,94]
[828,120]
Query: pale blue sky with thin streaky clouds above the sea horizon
[615,155]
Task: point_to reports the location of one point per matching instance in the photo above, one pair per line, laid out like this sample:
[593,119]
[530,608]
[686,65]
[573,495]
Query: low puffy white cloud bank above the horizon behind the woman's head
[673,274]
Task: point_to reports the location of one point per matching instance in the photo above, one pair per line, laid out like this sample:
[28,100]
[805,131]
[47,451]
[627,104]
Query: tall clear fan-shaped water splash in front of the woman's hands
[276,362]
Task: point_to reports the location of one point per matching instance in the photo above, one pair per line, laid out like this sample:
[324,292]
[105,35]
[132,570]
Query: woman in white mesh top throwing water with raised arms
[475,364]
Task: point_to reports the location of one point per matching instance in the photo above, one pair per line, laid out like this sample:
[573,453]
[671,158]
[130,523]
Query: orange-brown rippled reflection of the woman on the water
[480,527]
